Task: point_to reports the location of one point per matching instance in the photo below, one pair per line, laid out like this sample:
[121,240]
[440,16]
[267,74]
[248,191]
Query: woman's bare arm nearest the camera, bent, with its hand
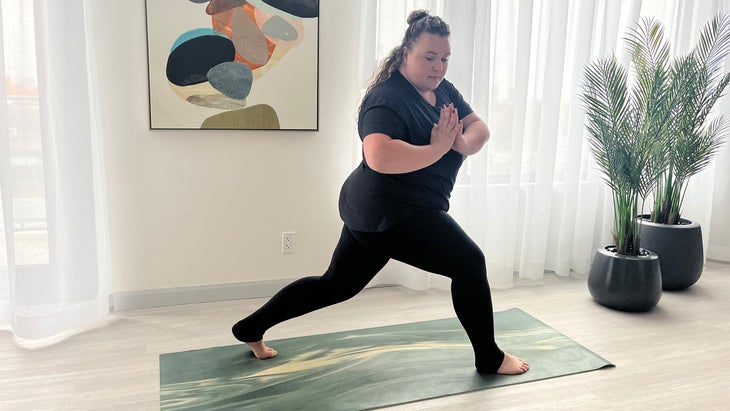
[392,156]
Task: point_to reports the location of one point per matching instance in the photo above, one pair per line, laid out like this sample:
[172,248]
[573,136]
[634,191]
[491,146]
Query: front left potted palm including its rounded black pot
[624,124]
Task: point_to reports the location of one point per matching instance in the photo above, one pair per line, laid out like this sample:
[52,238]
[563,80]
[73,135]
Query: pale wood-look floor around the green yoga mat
[676,357]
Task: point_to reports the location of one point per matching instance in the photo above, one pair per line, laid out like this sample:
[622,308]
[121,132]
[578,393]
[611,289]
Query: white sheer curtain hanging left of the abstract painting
[53,251]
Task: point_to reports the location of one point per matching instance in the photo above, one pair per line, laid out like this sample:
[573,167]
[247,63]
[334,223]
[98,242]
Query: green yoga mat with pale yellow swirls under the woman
[361,369]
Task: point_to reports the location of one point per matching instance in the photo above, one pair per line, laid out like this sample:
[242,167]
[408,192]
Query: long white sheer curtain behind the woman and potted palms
[532,198]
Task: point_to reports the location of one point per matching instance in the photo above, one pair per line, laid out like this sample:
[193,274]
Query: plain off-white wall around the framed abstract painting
[199,207]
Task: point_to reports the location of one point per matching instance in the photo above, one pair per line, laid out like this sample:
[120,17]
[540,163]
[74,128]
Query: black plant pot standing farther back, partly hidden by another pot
[679,247]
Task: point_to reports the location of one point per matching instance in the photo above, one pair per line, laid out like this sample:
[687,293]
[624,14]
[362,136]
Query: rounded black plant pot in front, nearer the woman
[623,282]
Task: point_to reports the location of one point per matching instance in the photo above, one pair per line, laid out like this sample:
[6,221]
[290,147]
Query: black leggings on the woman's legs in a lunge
[429,240]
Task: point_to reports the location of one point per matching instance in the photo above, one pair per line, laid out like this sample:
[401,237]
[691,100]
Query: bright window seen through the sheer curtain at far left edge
[26,189]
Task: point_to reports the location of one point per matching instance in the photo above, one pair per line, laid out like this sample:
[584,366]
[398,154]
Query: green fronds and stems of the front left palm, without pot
[625,123]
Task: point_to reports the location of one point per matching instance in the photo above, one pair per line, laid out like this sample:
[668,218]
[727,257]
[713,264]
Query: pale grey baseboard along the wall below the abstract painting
[134,300]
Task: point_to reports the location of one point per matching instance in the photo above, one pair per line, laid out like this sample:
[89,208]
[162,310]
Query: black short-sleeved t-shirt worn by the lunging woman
[371,201]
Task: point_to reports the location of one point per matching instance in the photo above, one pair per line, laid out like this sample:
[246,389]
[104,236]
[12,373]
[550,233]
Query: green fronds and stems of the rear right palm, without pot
[695,83]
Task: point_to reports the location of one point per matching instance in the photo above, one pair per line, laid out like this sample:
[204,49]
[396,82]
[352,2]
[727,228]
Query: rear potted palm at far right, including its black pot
[695,83]
